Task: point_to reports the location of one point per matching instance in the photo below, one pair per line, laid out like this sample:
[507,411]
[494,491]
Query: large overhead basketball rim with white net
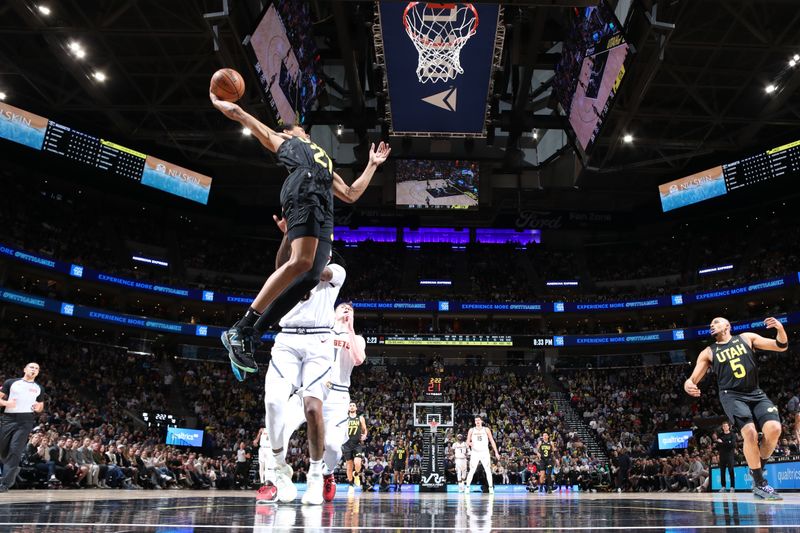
[439,32]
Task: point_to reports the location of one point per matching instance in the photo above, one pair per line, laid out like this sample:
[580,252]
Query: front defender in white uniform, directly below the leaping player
[301,360]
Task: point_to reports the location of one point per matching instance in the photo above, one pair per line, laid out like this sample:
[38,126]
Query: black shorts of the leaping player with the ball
[307,206]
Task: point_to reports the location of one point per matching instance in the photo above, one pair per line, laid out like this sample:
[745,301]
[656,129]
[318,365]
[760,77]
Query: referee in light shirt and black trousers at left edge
[20,399]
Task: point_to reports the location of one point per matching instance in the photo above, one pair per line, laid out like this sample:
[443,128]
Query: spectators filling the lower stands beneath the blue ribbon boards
[91,432]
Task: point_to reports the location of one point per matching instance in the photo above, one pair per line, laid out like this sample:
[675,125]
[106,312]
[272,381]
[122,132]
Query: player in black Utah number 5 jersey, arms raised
[732,360]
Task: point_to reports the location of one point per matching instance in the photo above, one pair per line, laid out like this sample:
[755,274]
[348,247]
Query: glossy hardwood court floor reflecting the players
[205,511]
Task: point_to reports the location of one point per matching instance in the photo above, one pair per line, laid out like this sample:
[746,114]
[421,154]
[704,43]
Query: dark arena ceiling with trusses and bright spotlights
[694,92]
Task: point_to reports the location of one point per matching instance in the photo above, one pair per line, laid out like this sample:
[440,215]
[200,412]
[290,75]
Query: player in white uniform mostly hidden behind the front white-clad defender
[348,353]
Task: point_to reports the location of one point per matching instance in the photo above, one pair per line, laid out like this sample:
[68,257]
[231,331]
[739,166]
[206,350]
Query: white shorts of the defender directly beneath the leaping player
[303,361]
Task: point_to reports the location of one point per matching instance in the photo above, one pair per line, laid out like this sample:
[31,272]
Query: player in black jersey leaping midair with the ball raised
[307,202]
